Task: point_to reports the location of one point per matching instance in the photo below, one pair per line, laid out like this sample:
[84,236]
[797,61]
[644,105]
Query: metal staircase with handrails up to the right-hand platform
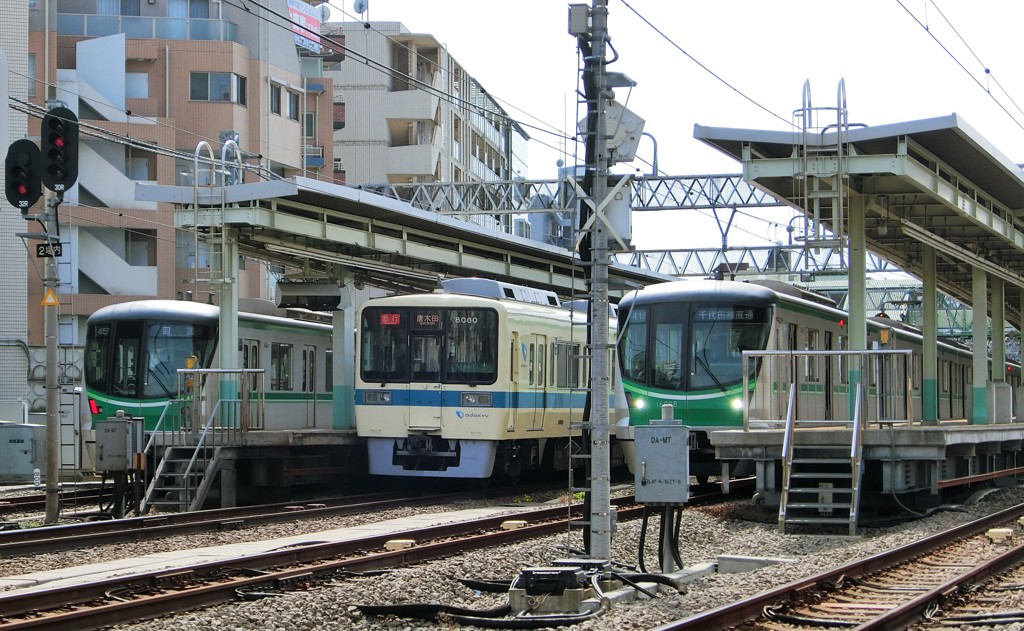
[822,482]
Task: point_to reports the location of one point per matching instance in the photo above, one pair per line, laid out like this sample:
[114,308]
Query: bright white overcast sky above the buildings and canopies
[745,66]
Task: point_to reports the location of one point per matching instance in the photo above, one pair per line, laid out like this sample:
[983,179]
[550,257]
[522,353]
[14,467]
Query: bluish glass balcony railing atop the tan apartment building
[147,28]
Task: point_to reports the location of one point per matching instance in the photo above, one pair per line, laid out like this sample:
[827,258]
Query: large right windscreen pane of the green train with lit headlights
[719,334]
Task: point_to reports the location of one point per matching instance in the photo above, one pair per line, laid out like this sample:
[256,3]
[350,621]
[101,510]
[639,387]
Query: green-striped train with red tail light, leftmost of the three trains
[134,351]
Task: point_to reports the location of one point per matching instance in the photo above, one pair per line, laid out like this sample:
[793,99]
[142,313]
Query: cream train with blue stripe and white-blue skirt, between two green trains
[486,378]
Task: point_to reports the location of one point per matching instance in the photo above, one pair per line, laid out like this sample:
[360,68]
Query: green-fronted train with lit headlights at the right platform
[682,344]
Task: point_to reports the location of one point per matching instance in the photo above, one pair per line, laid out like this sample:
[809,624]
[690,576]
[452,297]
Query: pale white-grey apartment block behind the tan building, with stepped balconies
[409,113]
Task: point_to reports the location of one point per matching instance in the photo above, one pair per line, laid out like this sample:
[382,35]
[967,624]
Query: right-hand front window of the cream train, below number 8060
[472,347]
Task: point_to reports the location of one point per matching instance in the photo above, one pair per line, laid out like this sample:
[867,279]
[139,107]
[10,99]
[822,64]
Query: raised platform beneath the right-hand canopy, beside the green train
[911,460]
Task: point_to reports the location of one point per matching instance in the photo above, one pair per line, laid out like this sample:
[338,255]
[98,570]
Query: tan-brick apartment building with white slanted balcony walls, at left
[153,83]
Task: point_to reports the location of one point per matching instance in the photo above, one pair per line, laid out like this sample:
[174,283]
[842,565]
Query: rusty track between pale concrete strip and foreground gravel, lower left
[124,599]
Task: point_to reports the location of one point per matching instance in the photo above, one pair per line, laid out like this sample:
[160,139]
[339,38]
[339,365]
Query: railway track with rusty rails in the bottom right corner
[891,591]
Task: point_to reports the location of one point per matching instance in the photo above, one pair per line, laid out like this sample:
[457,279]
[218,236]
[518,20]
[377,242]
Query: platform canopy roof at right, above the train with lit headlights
[934,182]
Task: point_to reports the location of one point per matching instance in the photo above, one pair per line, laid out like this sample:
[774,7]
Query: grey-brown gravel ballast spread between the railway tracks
[735,529]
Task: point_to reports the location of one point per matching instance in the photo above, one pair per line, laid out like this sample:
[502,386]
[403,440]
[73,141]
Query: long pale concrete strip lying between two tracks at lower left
[161,562]
